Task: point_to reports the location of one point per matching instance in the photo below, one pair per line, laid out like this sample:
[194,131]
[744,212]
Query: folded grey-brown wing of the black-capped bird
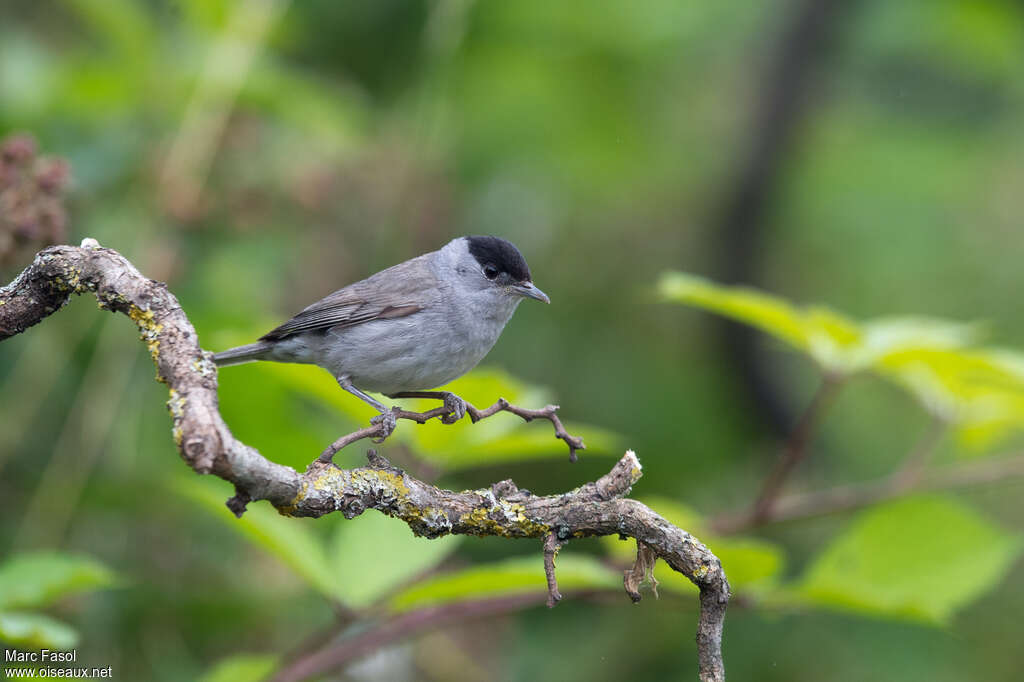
[397,292]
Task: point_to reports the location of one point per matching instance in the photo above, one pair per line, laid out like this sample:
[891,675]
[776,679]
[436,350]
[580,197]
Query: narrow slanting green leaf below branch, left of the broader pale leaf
[291,540]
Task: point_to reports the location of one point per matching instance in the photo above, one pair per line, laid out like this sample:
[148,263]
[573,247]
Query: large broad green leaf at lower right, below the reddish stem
[921,559]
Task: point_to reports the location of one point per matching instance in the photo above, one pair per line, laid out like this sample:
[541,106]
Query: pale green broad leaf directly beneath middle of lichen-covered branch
[373,555]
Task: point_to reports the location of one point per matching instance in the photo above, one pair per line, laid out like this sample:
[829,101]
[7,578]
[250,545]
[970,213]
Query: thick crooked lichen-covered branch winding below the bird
[599,508]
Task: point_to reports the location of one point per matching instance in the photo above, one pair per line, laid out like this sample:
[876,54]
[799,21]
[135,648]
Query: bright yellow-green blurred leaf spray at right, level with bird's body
[980,391]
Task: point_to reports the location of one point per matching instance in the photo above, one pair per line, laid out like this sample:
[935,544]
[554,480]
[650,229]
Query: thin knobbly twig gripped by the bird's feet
[380,430]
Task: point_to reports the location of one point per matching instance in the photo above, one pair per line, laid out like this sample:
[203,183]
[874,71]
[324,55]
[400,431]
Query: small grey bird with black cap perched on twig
[413,327]
